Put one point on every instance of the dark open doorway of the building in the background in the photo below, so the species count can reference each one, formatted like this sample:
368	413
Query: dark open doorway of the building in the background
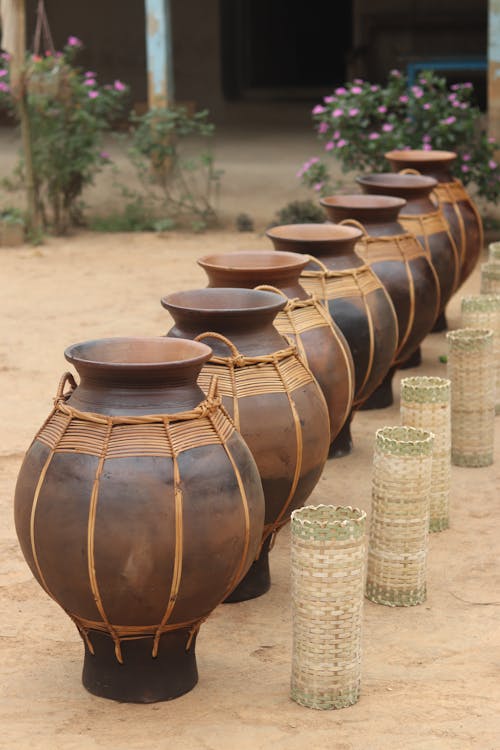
284	48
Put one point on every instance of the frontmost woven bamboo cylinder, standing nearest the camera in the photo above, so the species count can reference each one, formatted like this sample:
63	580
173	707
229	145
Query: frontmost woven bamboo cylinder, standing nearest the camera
328	555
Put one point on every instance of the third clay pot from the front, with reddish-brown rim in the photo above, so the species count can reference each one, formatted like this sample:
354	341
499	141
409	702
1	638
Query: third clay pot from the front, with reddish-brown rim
319	340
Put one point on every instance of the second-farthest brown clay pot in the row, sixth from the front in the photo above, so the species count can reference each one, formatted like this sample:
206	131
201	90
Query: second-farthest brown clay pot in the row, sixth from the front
427	222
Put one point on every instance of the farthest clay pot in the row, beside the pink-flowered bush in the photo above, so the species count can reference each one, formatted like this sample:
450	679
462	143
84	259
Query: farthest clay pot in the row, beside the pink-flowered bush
459	209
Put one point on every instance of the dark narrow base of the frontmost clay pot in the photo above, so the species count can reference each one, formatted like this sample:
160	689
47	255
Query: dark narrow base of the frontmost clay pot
141	678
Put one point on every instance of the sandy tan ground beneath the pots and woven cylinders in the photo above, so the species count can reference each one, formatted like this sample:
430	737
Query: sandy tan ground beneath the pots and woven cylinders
429	674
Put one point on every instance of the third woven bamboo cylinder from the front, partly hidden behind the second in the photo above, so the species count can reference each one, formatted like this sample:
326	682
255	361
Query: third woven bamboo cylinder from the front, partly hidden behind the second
425	404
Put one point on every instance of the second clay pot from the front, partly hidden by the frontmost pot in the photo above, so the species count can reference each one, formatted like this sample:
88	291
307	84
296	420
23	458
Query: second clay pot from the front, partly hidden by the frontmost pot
272	396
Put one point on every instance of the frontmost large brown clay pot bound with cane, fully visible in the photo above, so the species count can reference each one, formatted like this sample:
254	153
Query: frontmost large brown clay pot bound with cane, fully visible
138	508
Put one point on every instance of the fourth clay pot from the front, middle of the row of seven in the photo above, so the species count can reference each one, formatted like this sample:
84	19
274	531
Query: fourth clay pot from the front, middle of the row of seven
355	297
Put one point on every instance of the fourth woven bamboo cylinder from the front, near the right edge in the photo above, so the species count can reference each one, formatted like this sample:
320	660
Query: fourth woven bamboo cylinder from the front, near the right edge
471	371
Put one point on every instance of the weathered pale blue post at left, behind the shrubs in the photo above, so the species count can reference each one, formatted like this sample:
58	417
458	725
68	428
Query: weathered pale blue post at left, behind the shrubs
159	53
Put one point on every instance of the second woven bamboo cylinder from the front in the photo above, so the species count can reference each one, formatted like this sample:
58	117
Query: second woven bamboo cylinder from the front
397	549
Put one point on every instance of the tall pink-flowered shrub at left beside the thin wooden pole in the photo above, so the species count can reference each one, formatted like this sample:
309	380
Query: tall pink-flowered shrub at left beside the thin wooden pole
69	112
